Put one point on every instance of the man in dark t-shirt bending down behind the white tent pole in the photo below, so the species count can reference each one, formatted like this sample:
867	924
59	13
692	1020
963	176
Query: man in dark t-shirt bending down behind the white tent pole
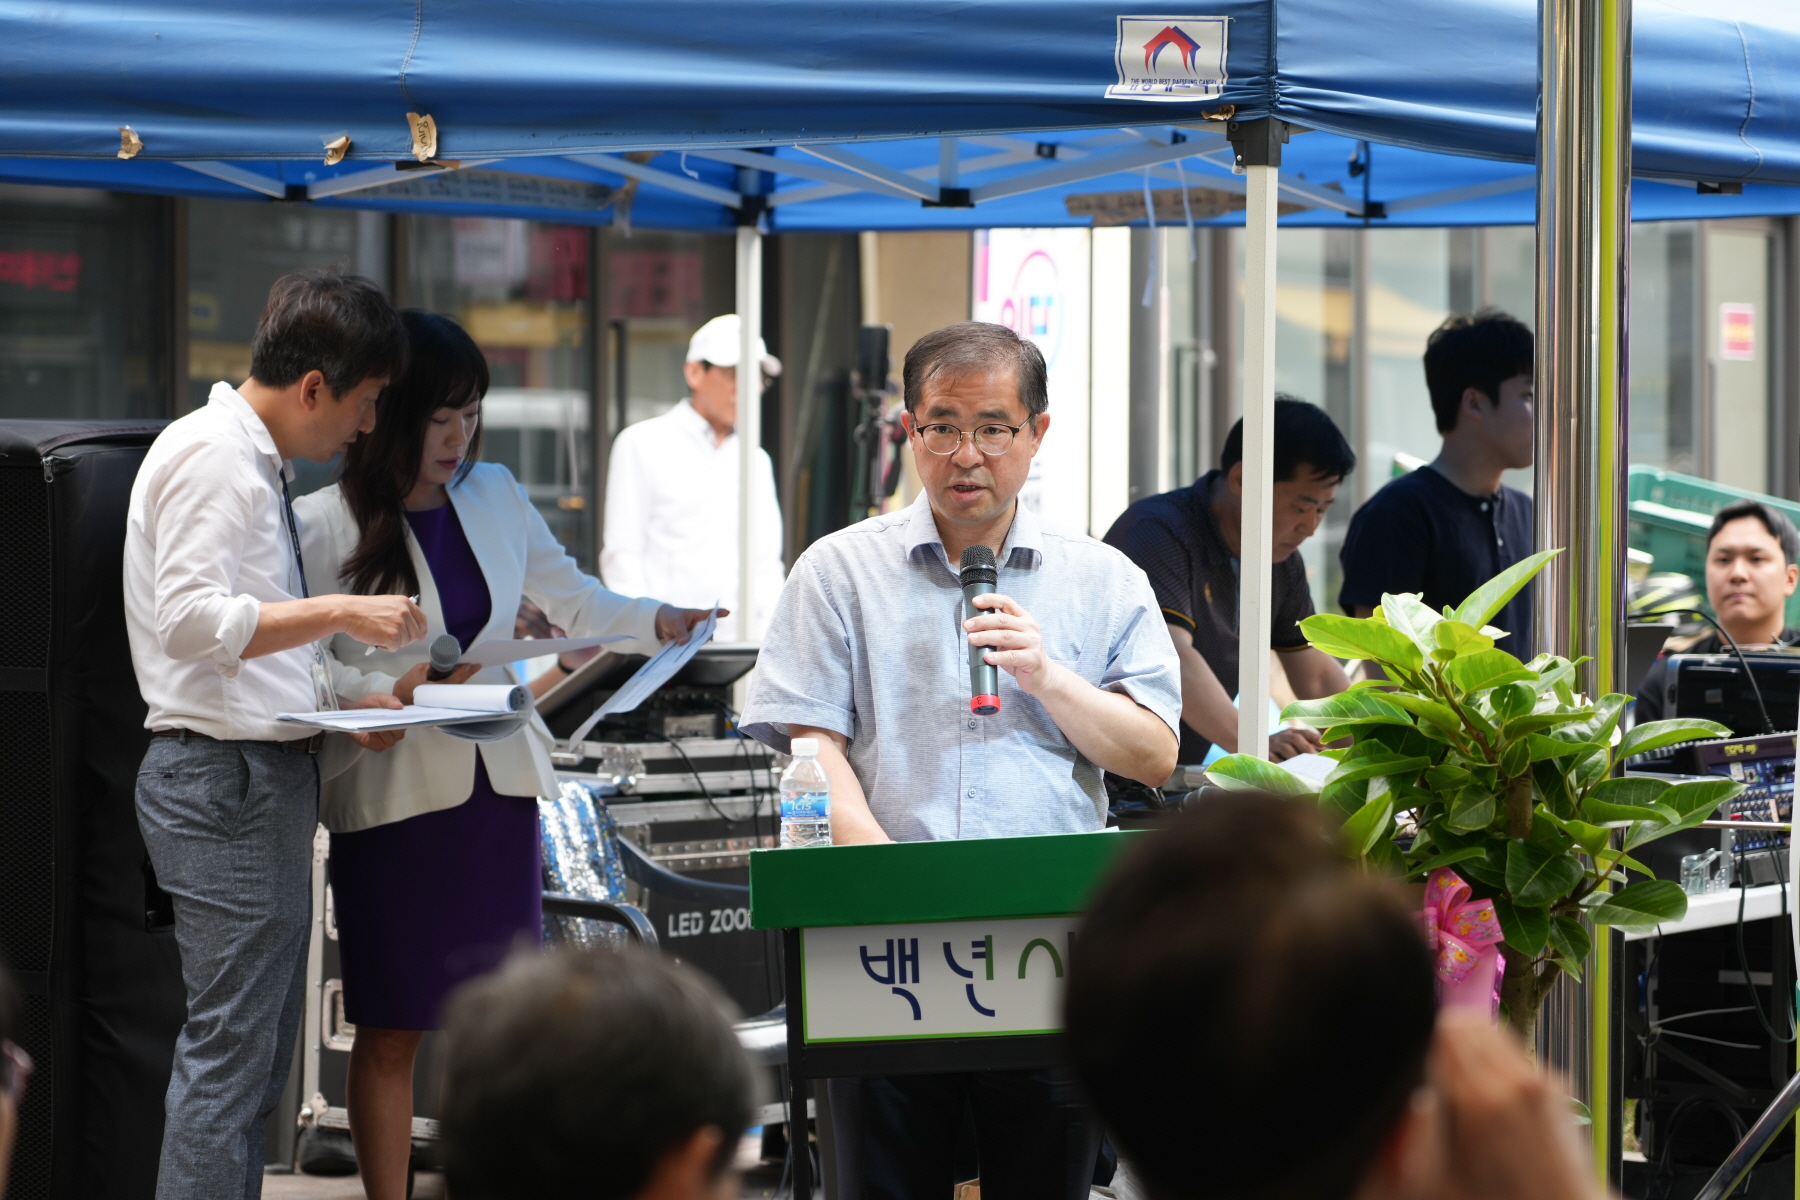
1187	541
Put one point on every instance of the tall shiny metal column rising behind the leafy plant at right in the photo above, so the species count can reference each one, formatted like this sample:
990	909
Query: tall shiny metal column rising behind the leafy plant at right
1583	287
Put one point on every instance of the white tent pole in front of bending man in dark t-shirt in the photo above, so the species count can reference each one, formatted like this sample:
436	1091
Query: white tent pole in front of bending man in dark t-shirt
1259	154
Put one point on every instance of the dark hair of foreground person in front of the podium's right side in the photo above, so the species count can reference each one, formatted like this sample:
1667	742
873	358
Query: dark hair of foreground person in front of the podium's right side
1246	1012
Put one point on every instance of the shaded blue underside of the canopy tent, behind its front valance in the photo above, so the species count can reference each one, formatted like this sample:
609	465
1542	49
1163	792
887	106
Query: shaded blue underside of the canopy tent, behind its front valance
697	190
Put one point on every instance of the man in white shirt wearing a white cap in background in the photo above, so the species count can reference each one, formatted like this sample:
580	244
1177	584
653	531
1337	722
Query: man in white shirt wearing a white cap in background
672	496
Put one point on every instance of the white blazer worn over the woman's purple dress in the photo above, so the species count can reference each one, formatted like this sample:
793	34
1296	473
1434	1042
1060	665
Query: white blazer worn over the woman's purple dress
431	771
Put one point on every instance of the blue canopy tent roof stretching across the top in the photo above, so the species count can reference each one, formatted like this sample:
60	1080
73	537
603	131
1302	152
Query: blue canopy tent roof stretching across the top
231	100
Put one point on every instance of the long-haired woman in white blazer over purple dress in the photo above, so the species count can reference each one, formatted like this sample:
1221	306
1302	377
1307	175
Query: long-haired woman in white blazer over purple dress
435	845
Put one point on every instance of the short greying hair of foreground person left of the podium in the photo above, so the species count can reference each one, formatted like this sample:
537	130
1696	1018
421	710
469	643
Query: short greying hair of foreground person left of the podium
577	1073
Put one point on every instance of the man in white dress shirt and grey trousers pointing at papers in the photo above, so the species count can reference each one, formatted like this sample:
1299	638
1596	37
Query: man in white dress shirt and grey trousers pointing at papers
224	638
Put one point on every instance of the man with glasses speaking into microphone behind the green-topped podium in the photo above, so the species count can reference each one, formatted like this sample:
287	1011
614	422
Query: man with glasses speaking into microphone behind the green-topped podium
870	654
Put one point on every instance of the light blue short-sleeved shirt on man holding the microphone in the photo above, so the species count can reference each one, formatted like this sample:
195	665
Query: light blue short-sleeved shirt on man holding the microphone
868	641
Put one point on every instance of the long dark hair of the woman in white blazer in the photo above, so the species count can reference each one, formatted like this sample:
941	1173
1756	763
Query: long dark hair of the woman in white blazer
445	372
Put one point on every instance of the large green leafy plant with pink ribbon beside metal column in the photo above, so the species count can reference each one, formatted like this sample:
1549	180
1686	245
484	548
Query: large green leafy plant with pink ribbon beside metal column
1468	758
